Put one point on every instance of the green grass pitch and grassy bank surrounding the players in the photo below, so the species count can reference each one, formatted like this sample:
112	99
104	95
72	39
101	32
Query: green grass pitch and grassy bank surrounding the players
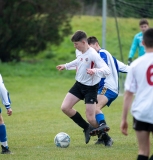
37	91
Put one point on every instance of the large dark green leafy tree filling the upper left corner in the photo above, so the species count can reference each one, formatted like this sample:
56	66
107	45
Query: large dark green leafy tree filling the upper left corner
28	25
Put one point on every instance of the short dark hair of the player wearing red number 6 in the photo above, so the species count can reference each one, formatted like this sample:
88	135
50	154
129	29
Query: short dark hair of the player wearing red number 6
148	38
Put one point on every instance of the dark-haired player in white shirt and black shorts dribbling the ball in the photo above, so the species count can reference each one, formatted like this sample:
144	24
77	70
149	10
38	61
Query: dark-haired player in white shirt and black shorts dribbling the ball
90	68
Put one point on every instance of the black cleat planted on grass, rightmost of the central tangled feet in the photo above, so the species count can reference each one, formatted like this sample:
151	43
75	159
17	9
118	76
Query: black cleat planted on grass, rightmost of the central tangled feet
105	139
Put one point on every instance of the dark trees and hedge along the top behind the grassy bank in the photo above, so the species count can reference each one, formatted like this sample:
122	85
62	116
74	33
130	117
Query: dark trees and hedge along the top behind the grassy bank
29	26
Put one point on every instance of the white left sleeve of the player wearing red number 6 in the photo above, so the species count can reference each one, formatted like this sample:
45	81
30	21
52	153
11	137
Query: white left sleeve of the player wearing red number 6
130	82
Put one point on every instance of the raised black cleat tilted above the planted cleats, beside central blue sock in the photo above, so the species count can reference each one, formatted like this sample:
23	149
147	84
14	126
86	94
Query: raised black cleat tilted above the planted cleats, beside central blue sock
102	128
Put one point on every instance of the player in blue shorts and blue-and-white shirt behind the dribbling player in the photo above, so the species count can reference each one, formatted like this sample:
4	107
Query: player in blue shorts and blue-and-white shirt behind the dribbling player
108	89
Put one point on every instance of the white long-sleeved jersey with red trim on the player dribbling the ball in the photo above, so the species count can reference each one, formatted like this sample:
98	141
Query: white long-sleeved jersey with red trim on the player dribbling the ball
89	60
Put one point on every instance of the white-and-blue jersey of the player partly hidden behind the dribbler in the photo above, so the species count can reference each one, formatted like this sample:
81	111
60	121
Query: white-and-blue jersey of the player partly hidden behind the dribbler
112	81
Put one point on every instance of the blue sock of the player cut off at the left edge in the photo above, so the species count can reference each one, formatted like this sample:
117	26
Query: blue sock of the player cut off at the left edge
3	137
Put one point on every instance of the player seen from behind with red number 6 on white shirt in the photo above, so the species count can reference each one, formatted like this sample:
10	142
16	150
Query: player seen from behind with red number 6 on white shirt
139	81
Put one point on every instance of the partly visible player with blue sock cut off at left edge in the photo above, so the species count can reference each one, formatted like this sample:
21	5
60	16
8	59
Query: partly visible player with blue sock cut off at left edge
4	95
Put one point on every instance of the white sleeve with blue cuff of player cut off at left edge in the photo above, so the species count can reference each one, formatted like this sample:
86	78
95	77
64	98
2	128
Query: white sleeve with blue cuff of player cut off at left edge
4	94
